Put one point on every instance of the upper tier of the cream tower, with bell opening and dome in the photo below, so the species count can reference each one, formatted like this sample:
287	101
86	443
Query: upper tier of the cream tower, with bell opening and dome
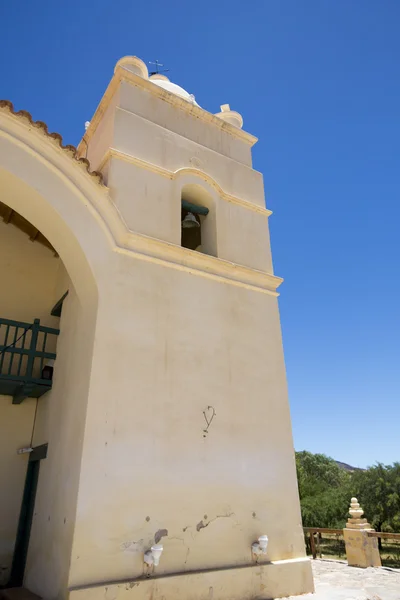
156	147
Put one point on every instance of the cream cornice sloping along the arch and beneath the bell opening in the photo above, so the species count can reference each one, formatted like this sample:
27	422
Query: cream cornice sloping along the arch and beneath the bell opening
121	239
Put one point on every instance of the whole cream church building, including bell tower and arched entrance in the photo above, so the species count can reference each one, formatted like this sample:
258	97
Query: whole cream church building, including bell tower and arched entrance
146	449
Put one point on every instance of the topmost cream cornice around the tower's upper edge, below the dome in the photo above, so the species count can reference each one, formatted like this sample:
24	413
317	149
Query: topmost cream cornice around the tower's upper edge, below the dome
122	74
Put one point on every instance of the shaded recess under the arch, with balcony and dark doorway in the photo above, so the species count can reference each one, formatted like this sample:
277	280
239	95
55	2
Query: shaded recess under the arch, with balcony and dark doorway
31	275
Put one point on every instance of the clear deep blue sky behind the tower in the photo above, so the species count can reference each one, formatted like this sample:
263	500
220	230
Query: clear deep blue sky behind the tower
318	82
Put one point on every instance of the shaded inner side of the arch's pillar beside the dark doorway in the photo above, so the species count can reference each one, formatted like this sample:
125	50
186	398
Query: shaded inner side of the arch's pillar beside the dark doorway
60	422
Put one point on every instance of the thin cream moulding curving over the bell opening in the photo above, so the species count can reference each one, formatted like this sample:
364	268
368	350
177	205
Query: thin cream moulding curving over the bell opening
114	153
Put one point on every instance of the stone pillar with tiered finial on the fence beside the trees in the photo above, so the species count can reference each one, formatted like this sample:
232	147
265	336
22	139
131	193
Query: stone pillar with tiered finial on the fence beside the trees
361	550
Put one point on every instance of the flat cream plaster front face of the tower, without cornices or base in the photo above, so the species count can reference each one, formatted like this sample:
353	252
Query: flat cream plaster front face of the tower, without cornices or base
174	342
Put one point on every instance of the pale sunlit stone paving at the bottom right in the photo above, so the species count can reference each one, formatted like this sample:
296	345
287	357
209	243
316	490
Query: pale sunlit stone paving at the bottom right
335	580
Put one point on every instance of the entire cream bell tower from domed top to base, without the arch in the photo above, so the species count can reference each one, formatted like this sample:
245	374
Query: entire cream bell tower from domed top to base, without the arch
201	458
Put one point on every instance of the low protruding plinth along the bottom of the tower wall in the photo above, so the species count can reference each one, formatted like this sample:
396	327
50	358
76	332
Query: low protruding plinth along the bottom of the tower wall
271	580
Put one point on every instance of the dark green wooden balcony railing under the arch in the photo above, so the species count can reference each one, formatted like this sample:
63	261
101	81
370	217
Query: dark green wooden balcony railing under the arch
25	352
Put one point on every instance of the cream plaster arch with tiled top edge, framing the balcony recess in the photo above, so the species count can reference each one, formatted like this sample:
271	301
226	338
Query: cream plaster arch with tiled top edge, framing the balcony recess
42	184
